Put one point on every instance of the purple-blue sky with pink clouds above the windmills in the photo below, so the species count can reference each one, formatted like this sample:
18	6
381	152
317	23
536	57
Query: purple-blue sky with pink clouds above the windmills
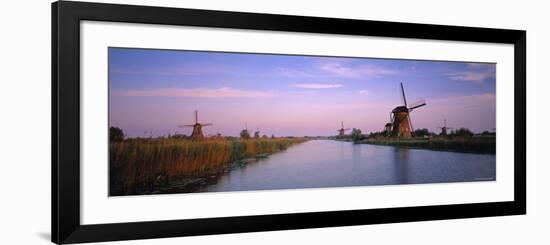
151	92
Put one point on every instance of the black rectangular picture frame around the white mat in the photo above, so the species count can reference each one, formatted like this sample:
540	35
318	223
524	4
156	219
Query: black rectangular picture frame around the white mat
66	17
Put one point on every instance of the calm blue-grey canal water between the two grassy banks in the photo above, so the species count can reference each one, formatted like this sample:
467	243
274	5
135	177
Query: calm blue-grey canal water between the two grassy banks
327	163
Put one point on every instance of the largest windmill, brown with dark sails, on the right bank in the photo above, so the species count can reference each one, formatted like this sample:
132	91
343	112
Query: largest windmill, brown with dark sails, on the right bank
401	119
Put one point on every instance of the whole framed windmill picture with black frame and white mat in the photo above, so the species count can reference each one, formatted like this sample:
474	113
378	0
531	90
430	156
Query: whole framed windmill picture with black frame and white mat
174	122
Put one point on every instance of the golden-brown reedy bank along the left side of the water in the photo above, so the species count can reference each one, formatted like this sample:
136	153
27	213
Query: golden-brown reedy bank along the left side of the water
137	165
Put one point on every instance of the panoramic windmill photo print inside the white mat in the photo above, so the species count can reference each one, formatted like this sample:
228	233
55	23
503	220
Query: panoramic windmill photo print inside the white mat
204	121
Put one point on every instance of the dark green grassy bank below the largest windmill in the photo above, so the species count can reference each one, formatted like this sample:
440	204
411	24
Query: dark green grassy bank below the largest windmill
485	145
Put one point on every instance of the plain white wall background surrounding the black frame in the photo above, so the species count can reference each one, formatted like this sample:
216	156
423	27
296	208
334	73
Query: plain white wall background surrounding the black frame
25	121
